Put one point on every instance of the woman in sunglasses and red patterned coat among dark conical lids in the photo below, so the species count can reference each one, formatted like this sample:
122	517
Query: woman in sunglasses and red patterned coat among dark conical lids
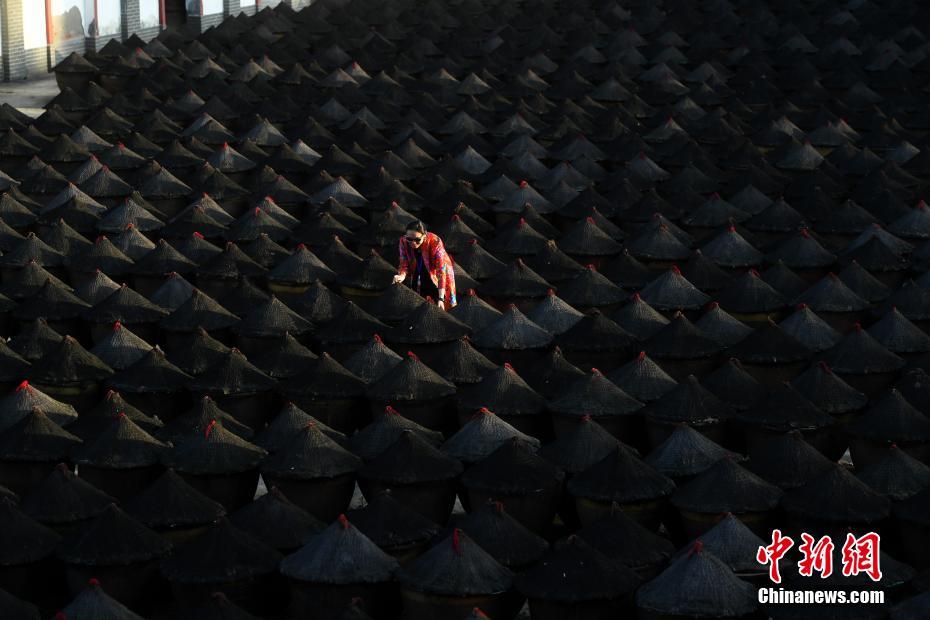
423	257
